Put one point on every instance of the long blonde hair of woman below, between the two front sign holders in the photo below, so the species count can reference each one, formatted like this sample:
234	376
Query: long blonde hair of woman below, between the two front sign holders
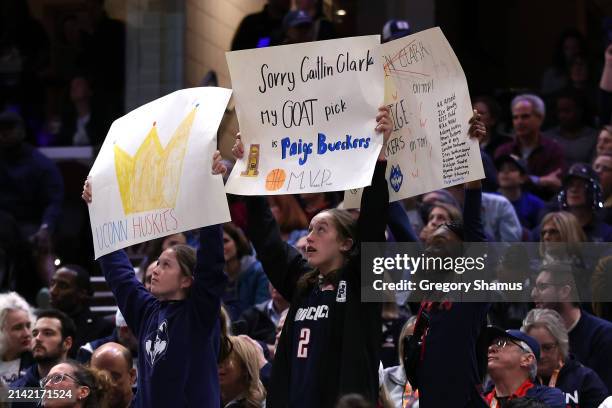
246	354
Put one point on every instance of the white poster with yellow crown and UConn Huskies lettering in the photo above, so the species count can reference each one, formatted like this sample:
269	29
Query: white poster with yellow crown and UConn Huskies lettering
152	177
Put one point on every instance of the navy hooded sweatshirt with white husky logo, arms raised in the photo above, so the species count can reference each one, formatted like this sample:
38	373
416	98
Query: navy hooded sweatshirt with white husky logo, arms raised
178	340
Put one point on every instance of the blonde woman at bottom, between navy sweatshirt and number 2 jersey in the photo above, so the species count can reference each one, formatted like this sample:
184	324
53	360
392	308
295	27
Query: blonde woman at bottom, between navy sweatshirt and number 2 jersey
239	376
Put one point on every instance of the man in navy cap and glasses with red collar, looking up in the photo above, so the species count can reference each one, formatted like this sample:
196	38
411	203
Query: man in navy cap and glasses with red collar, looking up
512	363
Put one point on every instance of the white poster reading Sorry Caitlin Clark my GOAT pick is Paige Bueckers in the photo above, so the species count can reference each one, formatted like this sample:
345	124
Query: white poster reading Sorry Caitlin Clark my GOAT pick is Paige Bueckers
307	116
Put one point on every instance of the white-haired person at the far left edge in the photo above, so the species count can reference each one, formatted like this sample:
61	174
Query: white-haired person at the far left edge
15	337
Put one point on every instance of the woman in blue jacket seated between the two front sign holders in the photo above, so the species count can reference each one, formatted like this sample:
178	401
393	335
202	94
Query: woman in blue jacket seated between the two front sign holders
247	282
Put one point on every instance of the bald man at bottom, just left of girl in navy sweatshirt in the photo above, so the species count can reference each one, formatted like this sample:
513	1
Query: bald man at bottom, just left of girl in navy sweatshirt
117	361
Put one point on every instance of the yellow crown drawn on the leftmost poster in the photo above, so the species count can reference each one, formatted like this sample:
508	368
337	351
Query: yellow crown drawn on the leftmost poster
150	179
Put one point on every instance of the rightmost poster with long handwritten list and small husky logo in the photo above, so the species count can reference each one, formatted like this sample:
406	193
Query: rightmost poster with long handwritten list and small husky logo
427	94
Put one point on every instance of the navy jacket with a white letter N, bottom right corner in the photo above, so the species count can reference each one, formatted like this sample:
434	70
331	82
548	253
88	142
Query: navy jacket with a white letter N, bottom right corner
582	386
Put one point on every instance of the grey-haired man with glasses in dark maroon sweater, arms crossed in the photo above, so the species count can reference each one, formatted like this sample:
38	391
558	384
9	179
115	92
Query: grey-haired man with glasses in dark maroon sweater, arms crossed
544	156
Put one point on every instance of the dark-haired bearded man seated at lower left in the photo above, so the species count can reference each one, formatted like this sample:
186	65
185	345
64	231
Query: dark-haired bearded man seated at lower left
51	339
